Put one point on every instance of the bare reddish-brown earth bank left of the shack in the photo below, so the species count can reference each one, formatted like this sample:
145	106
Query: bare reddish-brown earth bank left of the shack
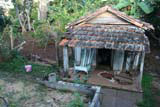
33	47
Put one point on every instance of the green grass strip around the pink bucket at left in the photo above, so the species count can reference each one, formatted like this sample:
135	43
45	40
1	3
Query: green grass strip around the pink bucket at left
17	63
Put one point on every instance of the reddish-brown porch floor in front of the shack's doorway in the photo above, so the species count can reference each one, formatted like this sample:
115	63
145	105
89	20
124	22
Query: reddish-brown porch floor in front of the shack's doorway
95	79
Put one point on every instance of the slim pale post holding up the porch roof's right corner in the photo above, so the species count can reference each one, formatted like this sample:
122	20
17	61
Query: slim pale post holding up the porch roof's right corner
141	68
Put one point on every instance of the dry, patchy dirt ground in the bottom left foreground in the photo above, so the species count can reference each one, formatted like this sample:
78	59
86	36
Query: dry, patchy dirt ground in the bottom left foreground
22	91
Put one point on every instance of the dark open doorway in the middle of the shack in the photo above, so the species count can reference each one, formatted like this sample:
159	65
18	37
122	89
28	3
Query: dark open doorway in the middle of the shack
104	57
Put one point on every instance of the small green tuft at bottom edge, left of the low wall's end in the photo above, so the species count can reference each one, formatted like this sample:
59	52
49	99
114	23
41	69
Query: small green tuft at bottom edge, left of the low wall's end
76	102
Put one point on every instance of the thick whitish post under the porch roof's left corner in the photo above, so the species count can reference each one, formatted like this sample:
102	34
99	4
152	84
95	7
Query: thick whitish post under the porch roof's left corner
65	59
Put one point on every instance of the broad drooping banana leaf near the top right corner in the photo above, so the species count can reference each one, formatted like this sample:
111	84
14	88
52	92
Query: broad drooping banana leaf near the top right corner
146	7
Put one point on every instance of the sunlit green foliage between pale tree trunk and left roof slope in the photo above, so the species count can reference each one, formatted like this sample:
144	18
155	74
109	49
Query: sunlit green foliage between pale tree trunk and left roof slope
62	12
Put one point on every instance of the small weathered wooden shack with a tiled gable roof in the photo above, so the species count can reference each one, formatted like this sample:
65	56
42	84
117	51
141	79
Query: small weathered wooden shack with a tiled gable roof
107	35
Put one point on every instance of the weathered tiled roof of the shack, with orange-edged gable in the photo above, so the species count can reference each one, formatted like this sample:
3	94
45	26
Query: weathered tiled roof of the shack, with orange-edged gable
130	37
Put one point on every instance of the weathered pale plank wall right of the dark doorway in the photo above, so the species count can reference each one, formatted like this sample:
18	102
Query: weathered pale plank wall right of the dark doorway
126	61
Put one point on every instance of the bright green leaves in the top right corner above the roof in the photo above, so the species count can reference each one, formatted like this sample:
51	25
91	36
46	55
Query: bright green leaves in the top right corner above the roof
138	8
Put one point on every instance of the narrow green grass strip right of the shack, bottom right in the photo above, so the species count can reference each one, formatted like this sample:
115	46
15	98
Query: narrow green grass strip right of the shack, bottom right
148	98
